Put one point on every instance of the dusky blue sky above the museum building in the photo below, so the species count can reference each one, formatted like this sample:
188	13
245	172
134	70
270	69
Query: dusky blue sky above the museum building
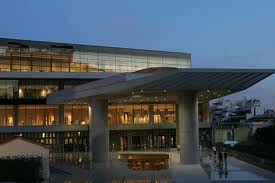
219	34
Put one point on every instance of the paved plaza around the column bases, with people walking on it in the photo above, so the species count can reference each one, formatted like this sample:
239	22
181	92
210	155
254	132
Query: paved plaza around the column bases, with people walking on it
74	168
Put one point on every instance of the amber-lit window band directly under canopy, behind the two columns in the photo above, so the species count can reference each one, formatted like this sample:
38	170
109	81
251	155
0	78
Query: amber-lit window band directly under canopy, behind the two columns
78	114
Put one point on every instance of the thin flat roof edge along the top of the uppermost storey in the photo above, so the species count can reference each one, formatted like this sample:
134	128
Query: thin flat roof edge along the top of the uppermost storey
93	48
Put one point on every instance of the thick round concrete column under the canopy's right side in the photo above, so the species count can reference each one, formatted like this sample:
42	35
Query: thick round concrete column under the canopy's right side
189	128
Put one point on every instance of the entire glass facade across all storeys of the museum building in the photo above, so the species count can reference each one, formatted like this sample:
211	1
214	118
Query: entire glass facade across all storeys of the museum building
23	101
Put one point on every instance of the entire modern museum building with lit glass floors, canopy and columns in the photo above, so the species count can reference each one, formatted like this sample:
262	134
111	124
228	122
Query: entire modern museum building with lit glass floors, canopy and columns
72	96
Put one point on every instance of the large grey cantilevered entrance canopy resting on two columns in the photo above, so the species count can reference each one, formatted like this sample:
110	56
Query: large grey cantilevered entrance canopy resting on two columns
210	83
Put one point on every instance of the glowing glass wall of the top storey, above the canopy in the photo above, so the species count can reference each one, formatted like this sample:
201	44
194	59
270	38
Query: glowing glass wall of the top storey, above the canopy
68	60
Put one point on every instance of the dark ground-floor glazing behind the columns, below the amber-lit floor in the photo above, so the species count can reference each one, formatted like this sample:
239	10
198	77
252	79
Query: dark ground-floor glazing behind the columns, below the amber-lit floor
120	140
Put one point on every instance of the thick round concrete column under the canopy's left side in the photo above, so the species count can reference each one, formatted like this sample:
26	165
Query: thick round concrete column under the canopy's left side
99	131
